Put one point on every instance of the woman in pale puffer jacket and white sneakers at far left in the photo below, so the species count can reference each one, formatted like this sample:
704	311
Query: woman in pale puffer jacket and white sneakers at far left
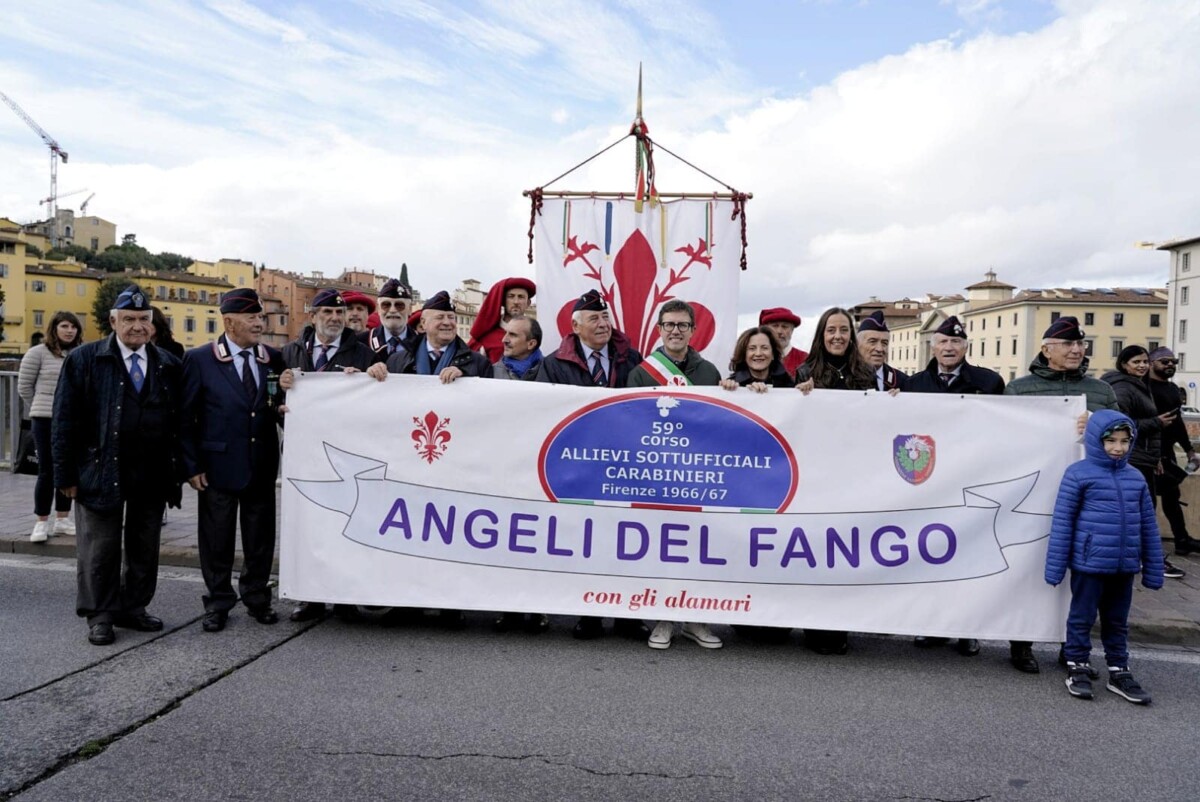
35	384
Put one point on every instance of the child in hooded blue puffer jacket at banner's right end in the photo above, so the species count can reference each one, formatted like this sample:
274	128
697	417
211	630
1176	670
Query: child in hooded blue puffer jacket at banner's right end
1105	530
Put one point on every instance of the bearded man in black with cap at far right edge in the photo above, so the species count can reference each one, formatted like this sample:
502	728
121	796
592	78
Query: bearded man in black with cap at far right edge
1163	364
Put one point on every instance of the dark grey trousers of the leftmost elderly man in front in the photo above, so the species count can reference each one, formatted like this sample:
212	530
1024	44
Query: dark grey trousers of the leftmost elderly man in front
107	589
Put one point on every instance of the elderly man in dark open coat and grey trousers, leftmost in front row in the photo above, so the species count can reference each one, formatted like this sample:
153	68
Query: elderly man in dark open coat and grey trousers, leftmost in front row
116	446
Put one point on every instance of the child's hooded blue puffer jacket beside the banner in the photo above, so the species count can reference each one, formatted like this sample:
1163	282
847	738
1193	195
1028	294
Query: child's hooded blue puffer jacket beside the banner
1105	517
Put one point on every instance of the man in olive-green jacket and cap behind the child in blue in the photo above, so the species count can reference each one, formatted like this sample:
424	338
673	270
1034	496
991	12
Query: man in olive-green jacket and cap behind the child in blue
1061	369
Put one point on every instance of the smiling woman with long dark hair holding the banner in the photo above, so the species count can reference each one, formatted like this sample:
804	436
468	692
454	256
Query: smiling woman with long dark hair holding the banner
833	364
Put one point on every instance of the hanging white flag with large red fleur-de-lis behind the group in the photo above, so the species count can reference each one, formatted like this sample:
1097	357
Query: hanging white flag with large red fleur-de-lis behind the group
686	249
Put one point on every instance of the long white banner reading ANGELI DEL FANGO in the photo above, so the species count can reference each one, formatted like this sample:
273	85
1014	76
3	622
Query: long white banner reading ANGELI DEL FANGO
919	514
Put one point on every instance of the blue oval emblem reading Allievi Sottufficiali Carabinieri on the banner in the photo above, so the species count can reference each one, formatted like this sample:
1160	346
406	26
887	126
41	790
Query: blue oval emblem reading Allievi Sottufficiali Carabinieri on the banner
669	451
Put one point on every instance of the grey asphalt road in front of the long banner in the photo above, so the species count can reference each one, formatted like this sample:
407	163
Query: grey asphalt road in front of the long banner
359	713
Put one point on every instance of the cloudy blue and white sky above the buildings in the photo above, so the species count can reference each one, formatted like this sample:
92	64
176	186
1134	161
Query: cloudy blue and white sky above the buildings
893	148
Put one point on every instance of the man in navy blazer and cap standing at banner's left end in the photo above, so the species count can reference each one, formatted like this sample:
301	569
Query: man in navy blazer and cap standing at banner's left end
232	457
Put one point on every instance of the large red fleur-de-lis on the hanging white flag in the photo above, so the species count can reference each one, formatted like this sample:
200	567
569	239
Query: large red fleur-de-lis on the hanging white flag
635	297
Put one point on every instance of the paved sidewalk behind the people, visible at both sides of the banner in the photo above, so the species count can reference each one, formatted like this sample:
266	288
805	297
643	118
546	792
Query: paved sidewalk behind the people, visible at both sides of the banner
1168	618
